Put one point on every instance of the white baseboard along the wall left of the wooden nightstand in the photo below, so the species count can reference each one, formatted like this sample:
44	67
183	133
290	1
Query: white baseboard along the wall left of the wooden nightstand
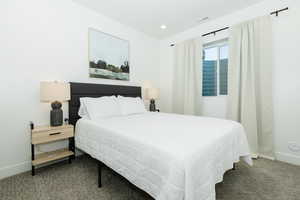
14	169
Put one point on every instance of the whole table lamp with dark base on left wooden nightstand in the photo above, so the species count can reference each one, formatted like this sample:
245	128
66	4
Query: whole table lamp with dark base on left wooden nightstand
55	92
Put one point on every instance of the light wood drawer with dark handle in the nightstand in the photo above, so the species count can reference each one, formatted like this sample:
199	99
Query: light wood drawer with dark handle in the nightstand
51	135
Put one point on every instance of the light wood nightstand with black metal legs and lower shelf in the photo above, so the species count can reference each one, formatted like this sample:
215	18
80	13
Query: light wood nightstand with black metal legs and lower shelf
47	134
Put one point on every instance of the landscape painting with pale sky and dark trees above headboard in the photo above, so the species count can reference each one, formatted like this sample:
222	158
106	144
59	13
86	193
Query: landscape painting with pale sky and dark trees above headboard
108	56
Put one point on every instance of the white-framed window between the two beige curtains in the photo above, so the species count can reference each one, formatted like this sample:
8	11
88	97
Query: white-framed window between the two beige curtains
215	68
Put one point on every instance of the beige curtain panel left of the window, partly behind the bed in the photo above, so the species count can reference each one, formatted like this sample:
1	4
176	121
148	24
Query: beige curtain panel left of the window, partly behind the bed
187	79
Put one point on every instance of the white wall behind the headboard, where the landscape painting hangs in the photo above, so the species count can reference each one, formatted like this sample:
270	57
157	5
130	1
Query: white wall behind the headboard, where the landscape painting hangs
48	40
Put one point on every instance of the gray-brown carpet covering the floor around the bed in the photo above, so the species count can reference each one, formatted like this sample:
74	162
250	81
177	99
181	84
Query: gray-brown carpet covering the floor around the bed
266	180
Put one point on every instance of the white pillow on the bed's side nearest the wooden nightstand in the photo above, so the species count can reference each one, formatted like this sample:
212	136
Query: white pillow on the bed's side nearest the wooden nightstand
101	107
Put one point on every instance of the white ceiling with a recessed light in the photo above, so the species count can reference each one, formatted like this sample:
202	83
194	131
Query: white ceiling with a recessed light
178	15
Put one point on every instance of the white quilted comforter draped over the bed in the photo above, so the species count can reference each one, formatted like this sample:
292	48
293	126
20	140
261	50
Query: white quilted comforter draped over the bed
171	157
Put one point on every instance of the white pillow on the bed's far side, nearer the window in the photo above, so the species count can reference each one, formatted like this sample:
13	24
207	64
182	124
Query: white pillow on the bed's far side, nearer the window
131	105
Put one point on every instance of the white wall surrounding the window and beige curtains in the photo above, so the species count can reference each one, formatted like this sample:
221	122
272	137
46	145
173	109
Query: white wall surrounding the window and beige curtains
286	70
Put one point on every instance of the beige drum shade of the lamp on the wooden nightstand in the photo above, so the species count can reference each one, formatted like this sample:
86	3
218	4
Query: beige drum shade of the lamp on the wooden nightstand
54	91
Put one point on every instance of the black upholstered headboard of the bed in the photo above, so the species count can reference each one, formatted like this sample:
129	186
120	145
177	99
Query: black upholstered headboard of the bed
96	90
